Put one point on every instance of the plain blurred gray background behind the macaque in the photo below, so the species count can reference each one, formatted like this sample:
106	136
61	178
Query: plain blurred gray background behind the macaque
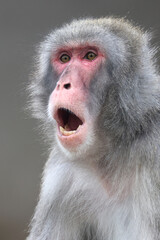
22	153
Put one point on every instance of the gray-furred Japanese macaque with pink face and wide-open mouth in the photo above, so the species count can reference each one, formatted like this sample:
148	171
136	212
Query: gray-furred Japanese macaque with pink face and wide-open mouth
96	90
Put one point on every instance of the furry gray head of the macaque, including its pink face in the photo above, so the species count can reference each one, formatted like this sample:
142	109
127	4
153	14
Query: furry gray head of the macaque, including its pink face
86	81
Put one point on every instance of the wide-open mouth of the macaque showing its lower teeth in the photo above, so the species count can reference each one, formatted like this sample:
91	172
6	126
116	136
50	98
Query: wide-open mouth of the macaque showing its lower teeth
69	123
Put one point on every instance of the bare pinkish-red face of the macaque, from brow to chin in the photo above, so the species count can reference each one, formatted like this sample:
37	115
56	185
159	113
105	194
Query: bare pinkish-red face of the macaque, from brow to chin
75	68
